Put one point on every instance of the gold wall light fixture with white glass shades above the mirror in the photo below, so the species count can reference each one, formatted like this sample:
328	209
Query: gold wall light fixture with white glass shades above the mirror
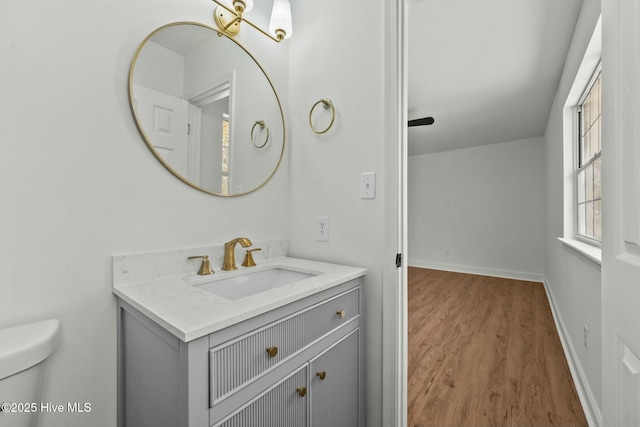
230	14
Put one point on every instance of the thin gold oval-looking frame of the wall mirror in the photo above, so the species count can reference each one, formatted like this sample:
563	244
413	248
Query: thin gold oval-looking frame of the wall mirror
146	138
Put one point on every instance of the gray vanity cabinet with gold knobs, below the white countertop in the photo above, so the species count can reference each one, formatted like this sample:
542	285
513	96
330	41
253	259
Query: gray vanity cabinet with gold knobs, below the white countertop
295	366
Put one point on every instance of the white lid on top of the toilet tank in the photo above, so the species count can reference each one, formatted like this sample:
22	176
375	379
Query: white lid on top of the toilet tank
24	346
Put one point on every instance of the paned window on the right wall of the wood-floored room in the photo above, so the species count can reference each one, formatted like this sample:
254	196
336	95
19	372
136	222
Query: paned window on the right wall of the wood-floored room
589	191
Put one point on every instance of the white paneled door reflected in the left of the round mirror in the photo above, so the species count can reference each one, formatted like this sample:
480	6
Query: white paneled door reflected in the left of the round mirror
165	121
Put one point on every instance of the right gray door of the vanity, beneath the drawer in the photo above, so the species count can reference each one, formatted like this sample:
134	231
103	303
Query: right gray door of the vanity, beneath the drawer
334	384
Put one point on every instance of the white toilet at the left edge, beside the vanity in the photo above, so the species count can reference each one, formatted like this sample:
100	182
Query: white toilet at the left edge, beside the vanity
24	350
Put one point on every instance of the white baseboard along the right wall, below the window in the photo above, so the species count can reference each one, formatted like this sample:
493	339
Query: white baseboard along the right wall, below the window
589	404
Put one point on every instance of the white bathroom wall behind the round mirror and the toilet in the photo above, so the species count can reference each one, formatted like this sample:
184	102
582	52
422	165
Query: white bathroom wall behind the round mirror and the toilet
78	184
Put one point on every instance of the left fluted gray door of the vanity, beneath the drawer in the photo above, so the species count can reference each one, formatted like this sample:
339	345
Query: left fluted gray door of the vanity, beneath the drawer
284	405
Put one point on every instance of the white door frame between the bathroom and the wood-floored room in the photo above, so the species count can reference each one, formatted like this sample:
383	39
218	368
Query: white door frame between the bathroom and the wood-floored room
394	284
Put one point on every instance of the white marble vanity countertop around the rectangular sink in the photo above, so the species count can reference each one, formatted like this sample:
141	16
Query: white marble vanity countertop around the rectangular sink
189	312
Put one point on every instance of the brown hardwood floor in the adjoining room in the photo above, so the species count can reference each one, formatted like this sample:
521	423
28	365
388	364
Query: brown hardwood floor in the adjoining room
484	351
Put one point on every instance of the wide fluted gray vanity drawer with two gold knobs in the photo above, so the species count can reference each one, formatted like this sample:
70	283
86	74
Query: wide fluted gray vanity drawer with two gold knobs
235	363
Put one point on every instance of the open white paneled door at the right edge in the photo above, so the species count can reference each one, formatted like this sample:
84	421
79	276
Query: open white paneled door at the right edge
621	213
